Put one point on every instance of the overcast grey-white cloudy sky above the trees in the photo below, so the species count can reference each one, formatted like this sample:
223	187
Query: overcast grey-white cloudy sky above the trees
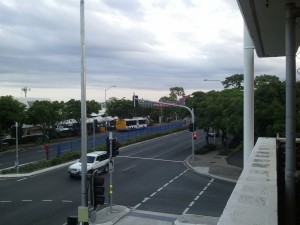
141	46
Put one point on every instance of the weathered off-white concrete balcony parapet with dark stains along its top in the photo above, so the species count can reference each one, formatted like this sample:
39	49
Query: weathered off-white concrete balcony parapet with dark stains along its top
254	199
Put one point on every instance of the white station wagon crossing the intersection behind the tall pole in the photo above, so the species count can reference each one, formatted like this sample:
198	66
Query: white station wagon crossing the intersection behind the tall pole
95	161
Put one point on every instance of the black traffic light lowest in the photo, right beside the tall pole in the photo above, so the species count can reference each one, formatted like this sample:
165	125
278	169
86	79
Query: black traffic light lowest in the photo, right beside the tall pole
98	191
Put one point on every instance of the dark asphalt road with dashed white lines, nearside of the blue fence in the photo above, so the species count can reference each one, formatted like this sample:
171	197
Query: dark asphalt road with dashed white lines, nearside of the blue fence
148	176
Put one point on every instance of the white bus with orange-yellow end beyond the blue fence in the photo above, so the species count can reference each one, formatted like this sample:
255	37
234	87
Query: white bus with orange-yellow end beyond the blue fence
131	124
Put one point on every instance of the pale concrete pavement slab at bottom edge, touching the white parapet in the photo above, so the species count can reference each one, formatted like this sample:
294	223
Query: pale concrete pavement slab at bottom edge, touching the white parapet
190	219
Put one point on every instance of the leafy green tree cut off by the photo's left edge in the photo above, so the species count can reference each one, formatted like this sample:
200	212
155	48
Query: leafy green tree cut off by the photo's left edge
11	111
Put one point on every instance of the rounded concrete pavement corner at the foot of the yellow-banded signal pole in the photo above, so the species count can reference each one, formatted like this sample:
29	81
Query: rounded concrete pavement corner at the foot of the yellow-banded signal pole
109	215
